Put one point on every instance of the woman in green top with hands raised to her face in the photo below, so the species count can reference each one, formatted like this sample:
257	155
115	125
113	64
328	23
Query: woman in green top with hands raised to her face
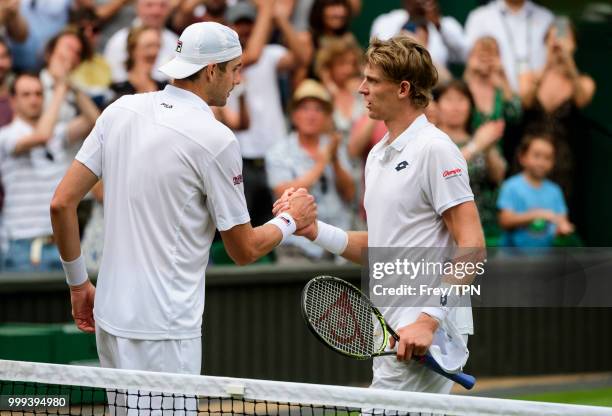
488	84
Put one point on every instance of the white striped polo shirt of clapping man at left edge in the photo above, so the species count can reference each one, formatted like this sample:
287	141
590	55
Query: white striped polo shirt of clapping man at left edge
29	180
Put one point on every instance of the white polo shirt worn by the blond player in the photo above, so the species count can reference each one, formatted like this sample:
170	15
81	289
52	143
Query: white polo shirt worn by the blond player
408	185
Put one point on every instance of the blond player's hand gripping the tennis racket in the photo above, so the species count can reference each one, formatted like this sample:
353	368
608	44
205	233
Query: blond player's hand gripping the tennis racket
416	338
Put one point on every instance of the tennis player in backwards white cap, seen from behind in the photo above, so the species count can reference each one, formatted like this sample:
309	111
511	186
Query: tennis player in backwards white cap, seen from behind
172	174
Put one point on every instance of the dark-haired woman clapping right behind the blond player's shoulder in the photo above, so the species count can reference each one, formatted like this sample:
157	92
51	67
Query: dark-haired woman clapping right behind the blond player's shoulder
486	165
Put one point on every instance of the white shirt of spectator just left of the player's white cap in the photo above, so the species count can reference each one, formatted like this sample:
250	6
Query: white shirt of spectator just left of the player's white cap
115	54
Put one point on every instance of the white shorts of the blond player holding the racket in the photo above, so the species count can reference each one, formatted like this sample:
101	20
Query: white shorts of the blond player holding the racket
390	374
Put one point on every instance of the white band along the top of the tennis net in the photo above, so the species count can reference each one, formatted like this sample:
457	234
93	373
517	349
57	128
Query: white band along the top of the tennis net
283	392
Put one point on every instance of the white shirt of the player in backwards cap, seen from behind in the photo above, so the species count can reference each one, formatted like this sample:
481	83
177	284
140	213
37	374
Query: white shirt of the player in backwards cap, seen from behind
172	174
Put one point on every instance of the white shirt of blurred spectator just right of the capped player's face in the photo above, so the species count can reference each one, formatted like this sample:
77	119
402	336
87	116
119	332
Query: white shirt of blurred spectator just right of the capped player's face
266	117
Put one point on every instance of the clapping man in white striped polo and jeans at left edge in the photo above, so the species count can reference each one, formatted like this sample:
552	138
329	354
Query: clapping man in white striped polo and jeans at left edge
33	161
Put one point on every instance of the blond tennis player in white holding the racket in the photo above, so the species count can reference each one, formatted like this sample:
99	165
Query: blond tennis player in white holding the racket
417	194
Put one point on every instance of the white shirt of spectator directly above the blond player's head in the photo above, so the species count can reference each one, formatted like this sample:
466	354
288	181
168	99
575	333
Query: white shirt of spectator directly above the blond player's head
445	45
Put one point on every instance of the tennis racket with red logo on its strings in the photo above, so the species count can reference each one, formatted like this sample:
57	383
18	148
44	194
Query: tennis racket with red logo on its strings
345	320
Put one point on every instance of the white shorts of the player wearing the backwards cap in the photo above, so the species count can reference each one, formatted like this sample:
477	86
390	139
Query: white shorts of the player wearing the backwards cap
171	356
